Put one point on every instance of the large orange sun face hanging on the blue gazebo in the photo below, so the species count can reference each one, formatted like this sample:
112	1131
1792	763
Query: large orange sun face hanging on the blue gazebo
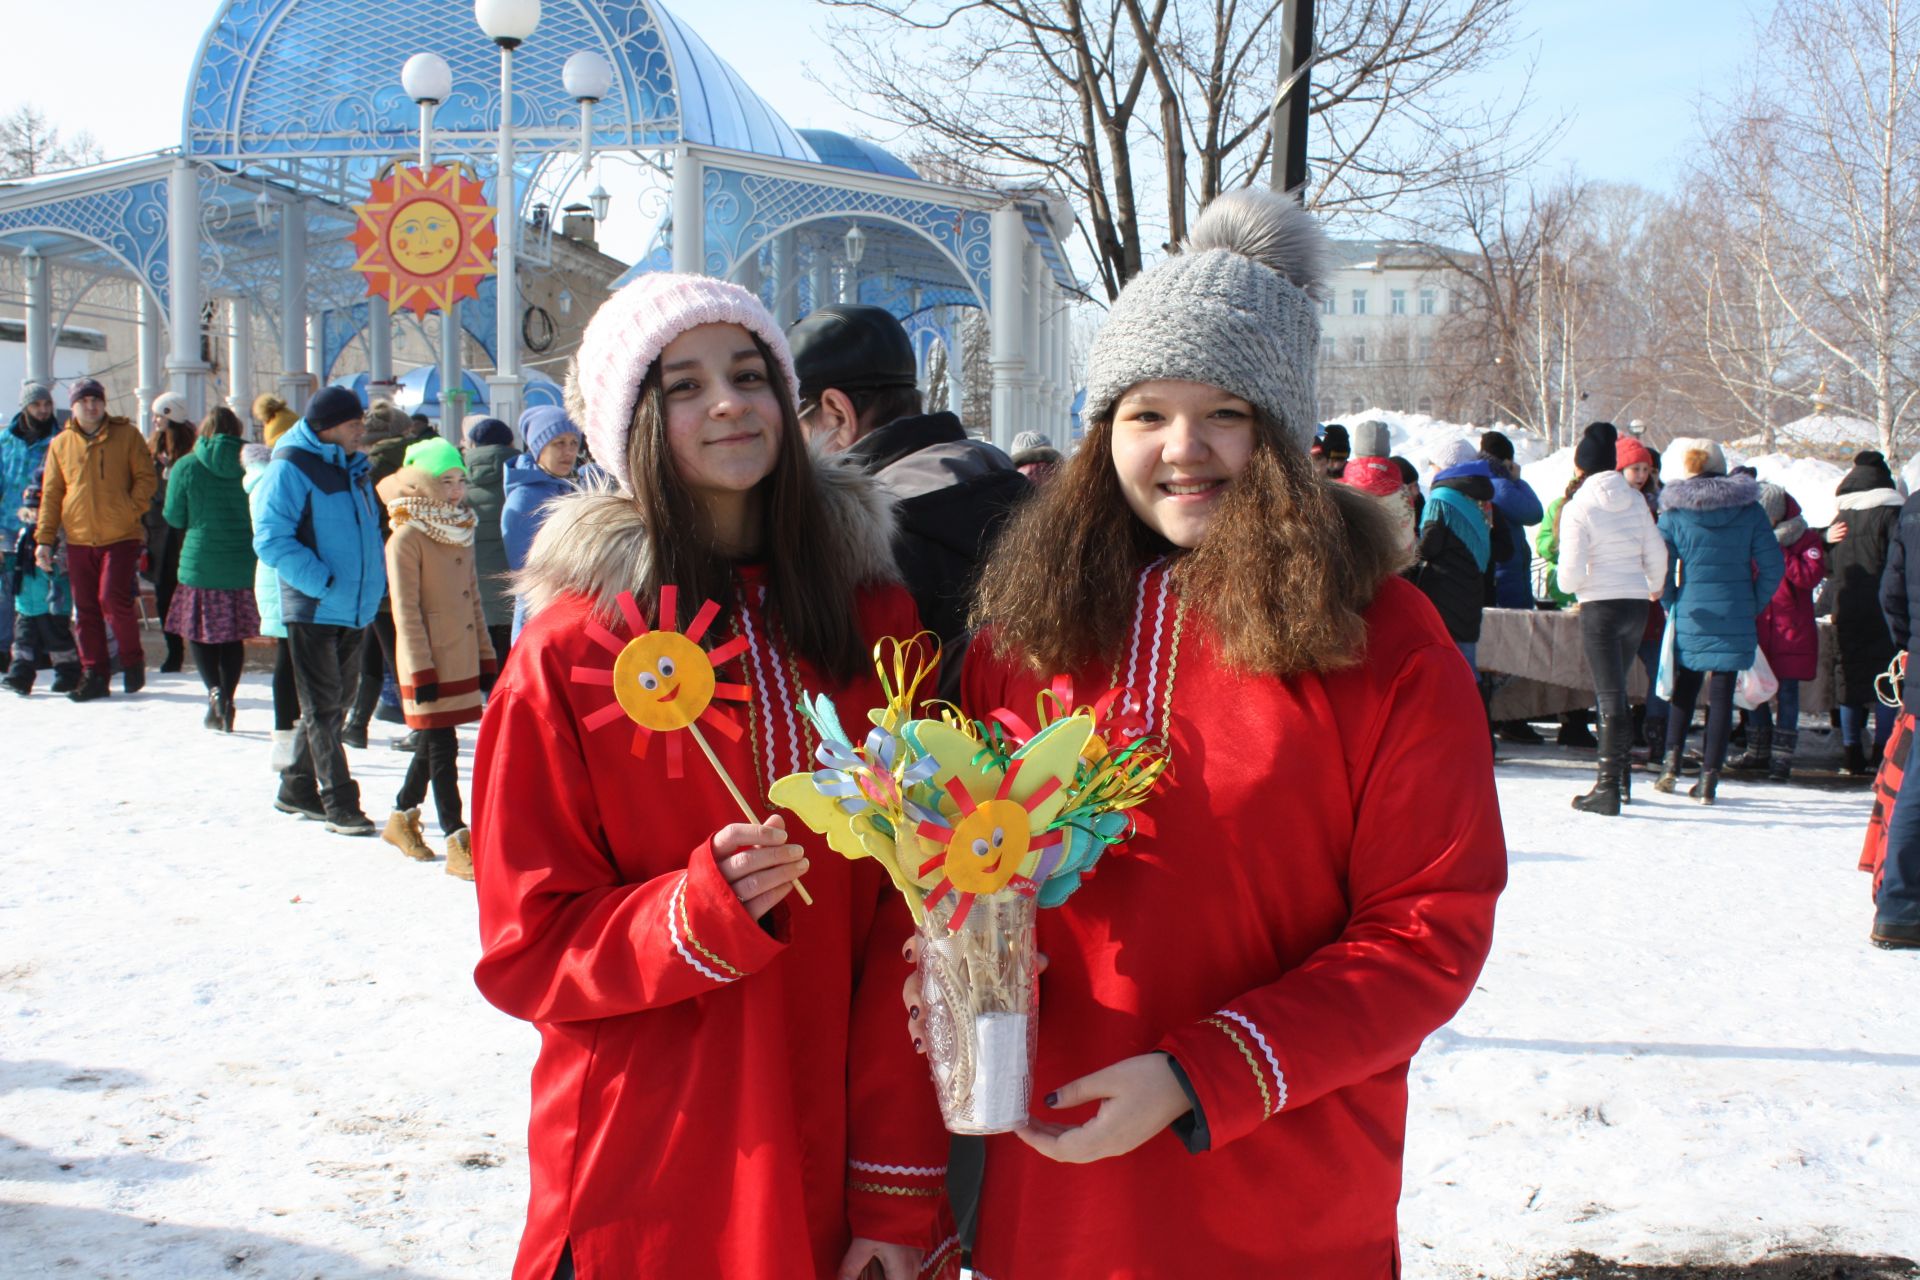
425	239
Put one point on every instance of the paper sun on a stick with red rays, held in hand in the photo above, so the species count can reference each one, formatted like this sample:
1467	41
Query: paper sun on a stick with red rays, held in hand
663	682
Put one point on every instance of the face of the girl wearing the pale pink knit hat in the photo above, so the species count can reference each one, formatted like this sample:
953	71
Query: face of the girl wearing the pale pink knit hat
723	414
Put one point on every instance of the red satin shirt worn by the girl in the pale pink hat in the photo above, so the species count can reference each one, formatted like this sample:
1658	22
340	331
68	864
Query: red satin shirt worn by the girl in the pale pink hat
713	1097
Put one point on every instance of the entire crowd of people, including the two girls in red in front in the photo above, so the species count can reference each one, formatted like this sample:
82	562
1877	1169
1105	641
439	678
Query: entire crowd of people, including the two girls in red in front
725	1081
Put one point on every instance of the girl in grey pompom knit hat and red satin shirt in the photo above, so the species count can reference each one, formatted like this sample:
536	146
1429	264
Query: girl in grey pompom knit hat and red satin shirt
1232	1003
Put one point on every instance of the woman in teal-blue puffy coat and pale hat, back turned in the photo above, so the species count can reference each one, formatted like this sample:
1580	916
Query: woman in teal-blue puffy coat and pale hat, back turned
1723	569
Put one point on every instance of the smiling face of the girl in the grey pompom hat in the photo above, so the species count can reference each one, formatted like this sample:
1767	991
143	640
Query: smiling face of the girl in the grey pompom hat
1178	448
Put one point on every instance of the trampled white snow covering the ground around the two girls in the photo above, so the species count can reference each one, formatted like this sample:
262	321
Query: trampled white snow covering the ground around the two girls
241	1047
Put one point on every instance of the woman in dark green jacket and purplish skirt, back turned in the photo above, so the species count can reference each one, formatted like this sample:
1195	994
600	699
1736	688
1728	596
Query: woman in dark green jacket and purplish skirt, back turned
214	605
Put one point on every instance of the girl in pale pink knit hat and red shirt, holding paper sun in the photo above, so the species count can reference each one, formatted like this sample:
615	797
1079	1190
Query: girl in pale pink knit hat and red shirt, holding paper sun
721	1085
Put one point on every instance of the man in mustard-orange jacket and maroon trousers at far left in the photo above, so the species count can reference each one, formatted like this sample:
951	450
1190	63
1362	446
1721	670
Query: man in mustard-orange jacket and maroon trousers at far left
95	490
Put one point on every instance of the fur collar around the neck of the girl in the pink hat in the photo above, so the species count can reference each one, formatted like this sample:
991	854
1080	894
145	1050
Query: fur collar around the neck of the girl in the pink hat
594	542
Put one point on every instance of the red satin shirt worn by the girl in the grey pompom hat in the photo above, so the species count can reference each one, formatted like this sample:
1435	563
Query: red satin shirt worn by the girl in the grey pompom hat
1316	897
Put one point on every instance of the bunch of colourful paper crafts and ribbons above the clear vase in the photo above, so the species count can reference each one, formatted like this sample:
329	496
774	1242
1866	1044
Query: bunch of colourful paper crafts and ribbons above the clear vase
974	811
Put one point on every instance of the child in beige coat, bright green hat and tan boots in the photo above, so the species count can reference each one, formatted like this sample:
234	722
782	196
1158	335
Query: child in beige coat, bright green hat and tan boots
441	640
